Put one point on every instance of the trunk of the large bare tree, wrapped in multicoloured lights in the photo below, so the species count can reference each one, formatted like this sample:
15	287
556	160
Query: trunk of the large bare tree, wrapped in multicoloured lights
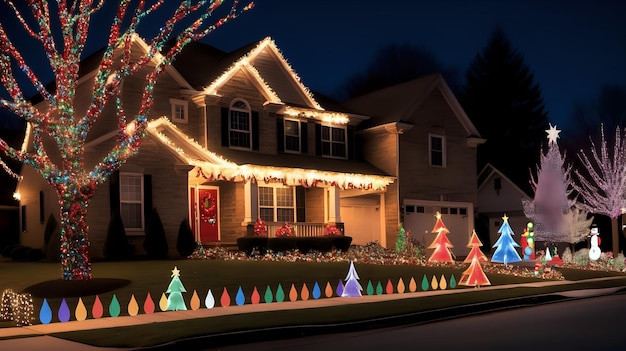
74	235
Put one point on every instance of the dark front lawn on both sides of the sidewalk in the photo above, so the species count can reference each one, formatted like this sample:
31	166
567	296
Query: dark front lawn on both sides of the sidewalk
138	278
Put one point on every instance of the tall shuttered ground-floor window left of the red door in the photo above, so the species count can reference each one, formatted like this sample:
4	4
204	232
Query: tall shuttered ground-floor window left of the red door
131	200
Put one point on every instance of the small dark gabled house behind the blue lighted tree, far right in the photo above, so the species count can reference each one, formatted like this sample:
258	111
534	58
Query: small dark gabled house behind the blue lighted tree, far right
498	195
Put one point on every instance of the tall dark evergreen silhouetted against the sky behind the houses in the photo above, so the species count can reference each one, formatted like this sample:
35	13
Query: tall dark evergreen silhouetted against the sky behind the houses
506	106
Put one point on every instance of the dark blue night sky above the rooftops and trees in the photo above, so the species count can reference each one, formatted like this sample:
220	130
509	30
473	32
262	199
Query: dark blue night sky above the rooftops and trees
572	47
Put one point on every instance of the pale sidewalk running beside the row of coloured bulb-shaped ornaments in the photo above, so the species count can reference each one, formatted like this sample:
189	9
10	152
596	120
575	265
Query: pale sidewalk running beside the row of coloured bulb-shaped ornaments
35	337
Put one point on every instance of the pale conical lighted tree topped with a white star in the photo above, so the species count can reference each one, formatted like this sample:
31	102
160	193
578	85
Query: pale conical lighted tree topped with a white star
552	186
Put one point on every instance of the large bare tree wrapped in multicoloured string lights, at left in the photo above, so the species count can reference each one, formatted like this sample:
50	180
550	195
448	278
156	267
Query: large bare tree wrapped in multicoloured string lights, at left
61	28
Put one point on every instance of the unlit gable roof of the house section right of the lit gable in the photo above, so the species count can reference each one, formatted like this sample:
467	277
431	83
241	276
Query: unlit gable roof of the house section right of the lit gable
399	102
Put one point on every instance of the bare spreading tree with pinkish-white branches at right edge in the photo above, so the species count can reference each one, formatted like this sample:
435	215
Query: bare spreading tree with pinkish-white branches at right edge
601	183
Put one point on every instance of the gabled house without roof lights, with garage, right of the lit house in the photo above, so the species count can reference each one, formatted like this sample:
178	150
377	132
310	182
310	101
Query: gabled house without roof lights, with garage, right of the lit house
419	133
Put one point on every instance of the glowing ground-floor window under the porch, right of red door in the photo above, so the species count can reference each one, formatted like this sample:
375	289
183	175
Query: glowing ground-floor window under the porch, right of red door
277	204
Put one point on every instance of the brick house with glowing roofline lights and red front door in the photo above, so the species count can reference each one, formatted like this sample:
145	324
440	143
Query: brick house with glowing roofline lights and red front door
232	137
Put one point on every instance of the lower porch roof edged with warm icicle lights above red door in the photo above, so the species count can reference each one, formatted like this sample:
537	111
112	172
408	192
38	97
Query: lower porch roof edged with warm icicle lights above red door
287	169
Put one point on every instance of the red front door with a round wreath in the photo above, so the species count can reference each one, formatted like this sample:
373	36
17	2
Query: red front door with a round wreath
205	207
